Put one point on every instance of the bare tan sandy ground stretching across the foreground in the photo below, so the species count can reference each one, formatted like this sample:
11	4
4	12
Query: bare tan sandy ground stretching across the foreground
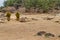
14	30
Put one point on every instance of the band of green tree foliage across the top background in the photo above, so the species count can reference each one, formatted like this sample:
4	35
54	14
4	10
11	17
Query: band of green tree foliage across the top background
41	4
